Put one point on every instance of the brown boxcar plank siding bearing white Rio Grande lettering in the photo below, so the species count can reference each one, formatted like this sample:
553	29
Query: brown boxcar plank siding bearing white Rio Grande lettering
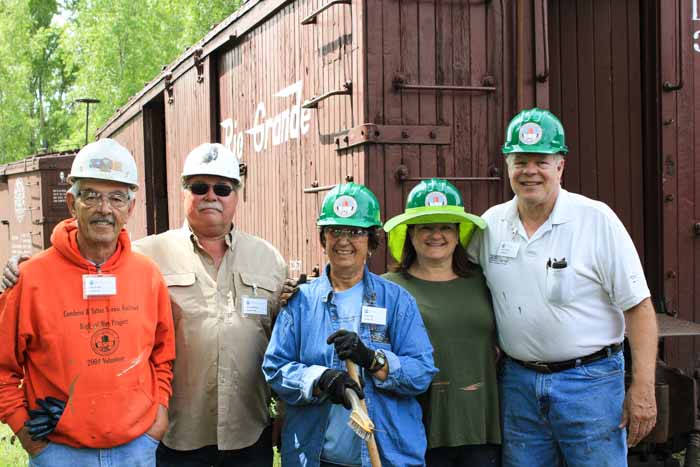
277	55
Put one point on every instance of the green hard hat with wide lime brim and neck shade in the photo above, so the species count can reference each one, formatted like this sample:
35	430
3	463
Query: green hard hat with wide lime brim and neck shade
433	201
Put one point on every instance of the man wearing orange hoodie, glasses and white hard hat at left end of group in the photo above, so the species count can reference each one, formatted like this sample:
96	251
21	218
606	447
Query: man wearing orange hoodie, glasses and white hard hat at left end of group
87	333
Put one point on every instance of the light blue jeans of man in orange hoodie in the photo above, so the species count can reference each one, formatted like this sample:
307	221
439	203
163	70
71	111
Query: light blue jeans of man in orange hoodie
140	452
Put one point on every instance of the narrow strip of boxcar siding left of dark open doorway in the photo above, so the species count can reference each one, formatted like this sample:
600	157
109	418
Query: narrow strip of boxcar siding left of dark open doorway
131	137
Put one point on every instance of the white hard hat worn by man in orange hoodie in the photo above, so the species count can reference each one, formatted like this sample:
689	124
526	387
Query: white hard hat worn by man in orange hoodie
105	159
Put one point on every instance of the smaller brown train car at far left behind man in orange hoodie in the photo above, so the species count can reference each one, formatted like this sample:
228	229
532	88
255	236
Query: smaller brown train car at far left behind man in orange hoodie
32	202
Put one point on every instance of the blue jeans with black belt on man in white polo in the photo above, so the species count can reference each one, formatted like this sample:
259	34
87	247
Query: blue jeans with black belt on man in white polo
567	418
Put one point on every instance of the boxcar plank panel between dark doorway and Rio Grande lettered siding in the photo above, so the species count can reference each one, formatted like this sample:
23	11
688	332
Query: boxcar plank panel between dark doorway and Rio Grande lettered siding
189	122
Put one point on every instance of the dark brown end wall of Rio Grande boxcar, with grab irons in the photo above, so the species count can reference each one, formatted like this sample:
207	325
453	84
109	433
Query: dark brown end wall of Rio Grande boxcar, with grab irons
445	43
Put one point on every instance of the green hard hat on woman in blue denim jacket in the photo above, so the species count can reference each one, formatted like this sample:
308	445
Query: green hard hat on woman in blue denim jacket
350	204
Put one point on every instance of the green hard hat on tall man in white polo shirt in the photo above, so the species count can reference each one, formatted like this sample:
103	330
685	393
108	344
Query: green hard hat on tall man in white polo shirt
535	131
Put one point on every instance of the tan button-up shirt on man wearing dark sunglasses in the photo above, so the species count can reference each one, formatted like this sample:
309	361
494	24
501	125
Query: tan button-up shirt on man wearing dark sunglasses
219	392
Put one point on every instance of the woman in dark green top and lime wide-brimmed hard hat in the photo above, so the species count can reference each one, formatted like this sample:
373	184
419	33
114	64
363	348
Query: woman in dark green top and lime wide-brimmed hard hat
460	410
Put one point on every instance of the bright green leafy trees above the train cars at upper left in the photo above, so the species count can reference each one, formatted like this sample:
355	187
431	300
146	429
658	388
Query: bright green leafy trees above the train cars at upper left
57	51
